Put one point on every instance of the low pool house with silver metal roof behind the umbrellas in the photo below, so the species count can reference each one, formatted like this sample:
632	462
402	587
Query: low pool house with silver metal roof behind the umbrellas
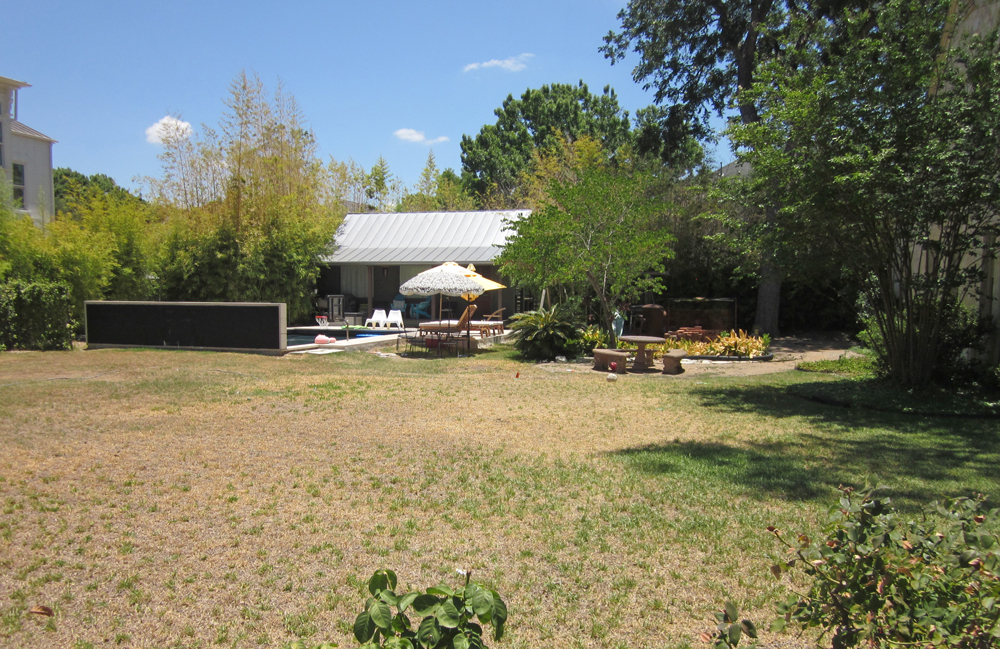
377	252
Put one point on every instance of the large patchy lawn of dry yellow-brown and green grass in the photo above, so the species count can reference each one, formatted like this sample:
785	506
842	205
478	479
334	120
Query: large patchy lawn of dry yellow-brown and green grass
195	499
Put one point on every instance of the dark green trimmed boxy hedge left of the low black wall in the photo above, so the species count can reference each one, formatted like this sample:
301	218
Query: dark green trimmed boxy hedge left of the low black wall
35	315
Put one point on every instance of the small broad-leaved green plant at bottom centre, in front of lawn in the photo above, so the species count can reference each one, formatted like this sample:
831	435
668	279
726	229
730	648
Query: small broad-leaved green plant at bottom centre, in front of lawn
447	614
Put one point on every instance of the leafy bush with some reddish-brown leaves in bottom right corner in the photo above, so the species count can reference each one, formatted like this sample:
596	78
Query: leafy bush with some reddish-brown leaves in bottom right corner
883	581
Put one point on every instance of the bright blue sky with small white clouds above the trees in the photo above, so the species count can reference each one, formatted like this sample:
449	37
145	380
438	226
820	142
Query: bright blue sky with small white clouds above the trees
102	73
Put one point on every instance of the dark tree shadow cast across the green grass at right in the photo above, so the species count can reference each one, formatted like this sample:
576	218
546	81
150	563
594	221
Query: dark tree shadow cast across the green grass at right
921	458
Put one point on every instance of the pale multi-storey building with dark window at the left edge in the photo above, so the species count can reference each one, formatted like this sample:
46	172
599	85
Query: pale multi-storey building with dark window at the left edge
25	156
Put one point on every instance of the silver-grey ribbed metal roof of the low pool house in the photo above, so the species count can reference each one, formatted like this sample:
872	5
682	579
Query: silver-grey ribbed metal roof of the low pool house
422	237
